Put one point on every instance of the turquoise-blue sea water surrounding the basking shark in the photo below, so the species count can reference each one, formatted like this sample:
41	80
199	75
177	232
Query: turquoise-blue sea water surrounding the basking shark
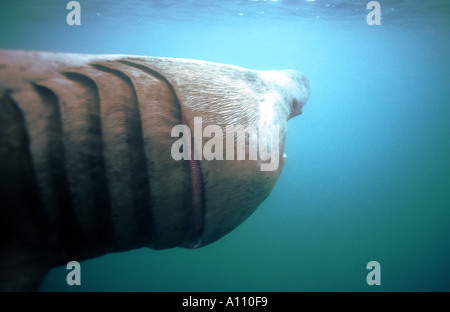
368	169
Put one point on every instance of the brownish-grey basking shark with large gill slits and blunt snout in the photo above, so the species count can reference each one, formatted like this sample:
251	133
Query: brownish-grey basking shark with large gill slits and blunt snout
108	153
